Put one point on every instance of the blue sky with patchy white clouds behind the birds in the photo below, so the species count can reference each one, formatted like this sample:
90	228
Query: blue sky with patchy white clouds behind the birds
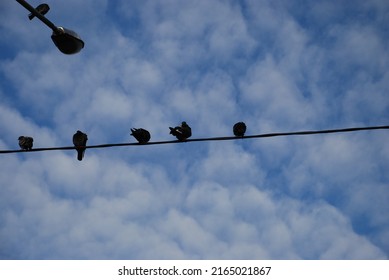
276	65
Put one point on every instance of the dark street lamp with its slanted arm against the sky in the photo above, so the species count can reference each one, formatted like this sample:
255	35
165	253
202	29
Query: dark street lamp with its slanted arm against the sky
67	41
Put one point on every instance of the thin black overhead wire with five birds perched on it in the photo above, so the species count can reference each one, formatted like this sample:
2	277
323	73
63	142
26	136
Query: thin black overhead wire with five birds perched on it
267	135
